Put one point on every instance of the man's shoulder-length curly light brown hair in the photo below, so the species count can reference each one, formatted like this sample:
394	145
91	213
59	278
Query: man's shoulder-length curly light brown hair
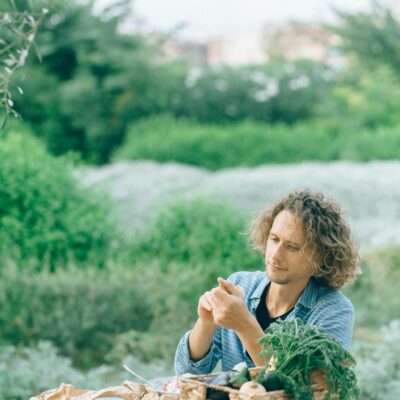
327	233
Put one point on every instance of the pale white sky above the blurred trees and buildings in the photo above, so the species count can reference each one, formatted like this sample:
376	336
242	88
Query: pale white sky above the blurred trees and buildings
207	19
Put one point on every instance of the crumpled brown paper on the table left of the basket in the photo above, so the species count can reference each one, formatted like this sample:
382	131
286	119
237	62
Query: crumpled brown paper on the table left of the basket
128	391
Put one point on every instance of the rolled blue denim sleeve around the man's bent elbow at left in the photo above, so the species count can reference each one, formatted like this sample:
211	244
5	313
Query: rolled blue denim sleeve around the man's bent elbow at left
184	364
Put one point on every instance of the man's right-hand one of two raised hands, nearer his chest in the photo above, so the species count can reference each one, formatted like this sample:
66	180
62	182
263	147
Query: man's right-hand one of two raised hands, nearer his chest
228	306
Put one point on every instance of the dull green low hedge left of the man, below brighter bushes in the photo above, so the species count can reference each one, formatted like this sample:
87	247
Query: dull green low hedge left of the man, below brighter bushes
95	317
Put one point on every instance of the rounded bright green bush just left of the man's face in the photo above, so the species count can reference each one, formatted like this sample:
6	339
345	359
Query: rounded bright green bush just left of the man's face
198	233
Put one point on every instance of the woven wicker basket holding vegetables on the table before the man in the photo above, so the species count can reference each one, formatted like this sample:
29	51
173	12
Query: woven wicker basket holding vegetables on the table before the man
195	388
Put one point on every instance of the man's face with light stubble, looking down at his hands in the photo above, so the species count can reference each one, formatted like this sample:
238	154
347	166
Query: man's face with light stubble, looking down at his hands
287	258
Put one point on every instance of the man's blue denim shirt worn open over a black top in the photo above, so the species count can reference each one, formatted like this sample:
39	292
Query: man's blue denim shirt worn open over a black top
317	305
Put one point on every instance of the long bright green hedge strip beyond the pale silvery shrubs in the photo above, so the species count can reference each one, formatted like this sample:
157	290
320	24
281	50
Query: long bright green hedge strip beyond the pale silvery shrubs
249	143
